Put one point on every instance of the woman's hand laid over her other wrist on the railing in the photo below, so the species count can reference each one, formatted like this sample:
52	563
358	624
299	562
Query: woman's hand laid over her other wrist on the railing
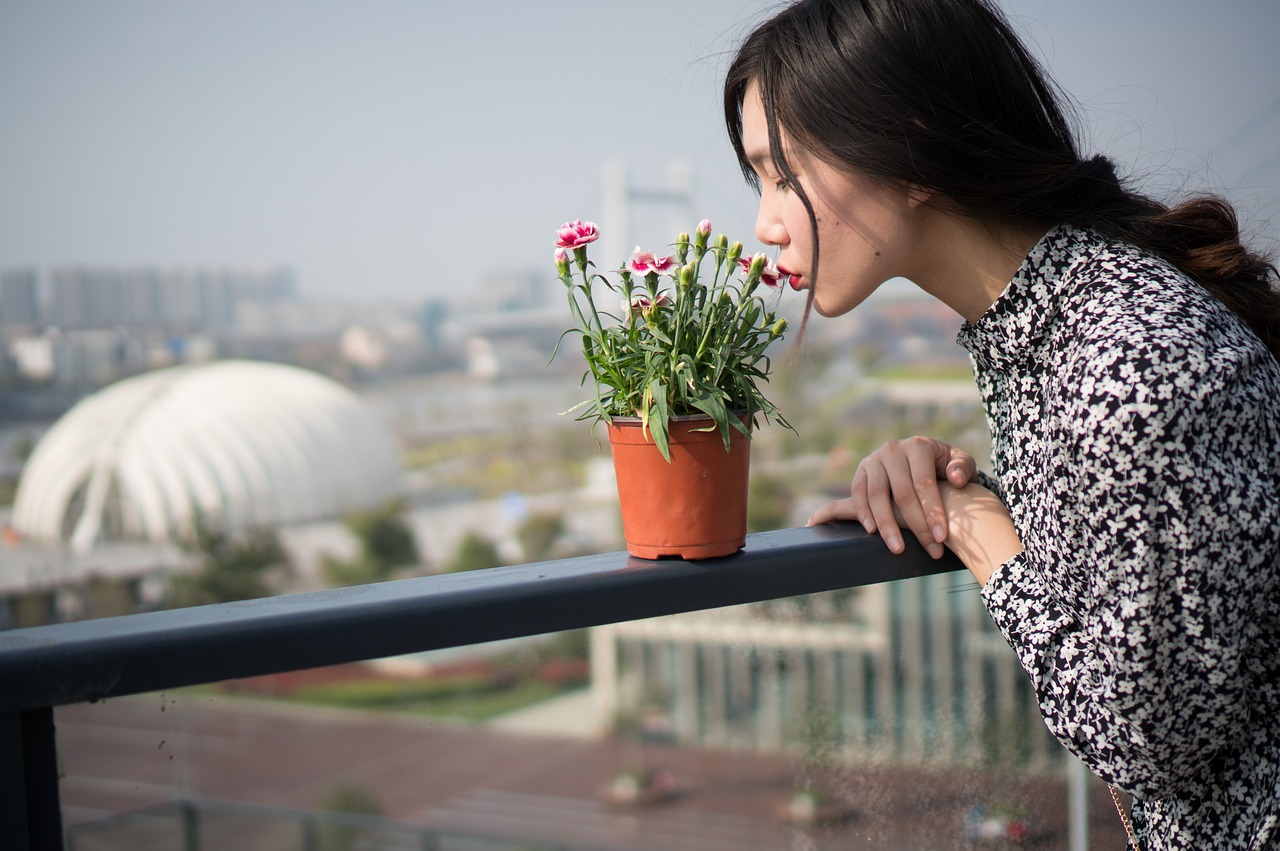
898	486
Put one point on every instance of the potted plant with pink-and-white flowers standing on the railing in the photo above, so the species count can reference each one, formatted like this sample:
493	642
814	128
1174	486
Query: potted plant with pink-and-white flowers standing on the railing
676	374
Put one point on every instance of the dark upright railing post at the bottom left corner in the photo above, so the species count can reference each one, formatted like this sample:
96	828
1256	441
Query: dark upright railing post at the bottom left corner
30	809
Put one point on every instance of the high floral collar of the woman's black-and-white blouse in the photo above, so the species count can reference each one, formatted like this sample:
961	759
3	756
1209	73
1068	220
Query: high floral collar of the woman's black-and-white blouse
1026	312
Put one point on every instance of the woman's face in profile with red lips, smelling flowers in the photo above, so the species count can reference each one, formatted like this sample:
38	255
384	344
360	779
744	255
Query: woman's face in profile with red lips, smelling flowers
866	228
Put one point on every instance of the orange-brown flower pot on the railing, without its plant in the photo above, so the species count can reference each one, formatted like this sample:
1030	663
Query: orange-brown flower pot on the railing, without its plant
694	507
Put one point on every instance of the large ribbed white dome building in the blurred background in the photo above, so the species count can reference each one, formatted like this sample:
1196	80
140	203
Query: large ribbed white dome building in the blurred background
240	443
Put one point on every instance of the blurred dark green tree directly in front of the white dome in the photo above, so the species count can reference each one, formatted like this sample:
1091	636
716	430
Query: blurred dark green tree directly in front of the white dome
234	568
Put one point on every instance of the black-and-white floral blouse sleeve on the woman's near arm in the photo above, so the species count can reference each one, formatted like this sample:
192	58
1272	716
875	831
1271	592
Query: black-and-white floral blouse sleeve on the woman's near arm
1168	493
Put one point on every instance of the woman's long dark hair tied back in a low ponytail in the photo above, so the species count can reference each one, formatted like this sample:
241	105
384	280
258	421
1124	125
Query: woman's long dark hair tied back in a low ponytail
941	94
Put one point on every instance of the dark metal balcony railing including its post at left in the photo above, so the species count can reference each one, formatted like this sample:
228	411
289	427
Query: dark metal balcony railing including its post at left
53	666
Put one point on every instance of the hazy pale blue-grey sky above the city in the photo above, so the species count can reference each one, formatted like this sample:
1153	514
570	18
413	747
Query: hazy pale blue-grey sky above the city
395	148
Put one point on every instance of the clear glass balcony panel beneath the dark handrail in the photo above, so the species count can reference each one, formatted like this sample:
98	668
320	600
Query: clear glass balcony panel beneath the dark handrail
886	717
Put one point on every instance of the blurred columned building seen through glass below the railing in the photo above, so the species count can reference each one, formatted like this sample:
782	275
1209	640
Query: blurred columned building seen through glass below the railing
902	672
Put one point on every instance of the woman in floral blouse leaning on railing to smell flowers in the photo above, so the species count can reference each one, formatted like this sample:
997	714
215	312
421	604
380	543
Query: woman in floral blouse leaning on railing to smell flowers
1126	353
